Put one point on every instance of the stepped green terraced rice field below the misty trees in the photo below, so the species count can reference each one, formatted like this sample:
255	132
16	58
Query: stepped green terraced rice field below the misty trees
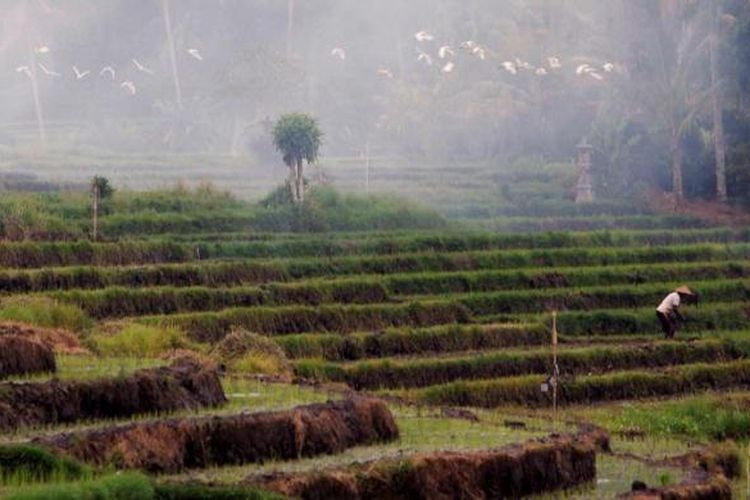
430	322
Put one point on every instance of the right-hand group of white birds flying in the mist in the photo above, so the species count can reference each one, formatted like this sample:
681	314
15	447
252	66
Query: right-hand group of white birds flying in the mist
445	54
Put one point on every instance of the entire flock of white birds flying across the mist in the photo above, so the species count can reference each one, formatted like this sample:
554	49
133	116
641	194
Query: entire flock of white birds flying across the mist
444	56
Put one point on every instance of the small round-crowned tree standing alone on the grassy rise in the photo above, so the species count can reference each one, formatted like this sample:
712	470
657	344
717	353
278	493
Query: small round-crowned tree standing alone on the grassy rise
298	137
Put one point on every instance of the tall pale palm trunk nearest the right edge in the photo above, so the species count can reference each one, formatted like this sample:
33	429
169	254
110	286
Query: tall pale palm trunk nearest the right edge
717	103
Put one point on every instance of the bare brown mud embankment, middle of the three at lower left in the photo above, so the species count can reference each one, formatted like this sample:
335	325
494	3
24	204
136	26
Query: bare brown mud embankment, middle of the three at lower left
171	445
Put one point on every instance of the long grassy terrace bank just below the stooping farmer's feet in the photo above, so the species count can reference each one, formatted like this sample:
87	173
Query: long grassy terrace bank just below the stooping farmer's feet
394	373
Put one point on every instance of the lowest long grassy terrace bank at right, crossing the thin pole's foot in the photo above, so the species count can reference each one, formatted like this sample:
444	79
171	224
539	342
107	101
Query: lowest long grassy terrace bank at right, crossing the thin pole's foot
525	391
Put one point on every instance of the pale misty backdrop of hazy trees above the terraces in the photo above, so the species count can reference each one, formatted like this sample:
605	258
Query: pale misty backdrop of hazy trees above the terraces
388	104
